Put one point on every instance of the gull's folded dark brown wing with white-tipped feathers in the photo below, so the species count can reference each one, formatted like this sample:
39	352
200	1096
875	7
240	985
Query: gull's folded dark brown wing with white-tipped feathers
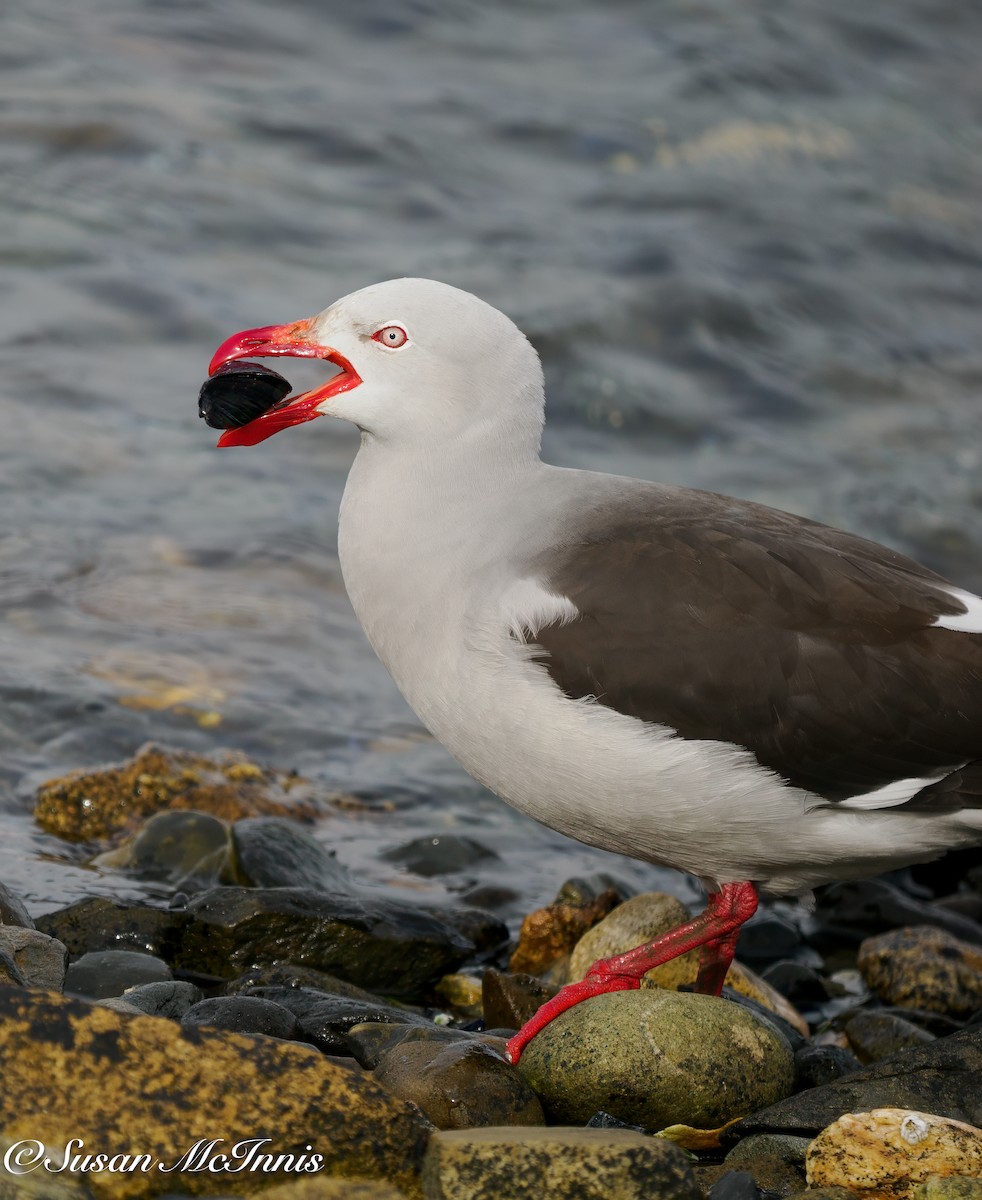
733	622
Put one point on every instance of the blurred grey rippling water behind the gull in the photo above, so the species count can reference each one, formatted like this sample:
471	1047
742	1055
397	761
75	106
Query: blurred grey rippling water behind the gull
744	235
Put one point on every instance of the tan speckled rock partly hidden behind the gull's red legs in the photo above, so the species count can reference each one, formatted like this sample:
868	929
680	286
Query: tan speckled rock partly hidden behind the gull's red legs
645	917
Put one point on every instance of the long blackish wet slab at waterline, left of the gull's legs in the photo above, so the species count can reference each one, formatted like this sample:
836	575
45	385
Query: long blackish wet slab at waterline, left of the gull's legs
379	944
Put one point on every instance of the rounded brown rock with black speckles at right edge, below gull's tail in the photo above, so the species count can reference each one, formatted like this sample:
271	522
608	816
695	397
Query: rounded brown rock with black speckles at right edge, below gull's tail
924	968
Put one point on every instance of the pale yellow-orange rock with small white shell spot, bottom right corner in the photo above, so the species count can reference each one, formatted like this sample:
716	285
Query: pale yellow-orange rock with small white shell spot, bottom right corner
883	1155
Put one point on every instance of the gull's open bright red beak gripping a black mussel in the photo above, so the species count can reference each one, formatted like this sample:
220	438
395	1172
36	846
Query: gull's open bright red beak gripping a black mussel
283	341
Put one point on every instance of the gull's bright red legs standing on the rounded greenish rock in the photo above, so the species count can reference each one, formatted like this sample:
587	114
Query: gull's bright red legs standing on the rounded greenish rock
716	929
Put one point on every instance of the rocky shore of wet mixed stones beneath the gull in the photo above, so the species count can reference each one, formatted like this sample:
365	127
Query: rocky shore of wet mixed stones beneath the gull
272	1025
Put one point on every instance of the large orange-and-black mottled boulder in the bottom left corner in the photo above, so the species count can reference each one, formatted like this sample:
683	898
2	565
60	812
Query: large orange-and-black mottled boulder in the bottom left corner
73	1070
